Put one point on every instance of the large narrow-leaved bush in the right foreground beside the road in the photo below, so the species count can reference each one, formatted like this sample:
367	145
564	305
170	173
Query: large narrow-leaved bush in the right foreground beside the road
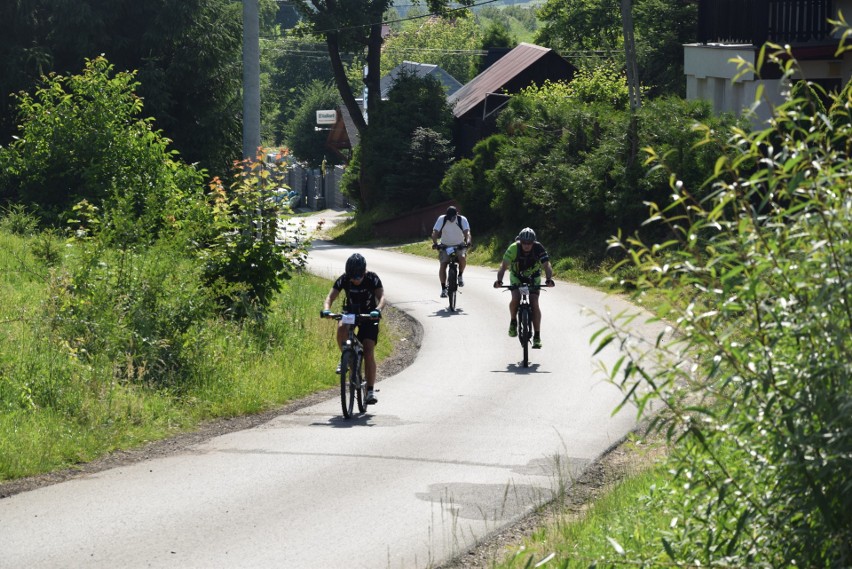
756	384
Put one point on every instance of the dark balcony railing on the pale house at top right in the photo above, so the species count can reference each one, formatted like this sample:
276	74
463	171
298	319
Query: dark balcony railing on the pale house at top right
758	21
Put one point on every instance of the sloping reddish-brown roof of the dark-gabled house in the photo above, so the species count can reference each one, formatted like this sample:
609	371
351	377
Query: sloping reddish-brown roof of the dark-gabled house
495	77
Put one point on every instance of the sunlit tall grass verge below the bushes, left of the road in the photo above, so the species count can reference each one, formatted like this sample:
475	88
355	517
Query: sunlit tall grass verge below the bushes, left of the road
60	406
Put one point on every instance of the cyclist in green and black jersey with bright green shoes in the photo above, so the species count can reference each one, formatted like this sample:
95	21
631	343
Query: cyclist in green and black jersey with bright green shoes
525	258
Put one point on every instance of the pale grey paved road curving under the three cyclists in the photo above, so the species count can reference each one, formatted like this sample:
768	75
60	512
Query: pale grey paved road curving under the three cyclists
461	442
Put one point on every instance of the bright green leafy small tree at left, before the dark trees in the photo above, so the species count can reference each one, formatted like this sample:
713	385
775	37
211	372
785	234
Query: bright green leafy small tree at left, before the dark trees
82	138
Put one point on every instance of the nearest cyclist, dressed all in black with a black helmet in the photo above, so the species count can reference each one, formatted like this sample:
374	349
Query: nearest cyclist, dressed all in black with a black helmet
364	294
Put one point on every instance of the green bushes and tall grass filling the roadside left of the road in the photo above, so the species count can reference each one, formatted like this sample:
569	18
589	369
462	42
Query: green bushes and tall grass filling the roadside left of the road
139	300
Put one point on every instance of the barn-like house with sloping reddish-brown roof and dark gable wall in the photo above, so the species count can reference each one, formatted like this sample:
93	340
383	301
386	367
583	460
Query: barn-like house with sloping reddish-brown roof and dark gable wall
476	105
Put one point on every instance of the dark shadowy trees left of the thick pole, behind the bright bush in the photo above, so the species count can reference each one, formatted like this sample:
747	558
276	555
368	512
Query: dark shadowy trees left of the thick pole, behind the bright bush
187	55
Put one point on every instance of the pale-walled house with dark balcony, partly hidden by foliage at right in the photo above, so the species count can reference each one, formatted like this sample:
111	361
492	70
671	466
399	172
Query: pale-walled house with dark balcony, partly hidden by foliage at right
738	28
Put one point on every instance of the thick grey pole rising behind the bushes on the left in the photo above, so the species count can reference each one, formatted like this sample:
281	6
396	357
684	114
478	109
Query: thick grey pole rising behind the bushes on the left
251	79
